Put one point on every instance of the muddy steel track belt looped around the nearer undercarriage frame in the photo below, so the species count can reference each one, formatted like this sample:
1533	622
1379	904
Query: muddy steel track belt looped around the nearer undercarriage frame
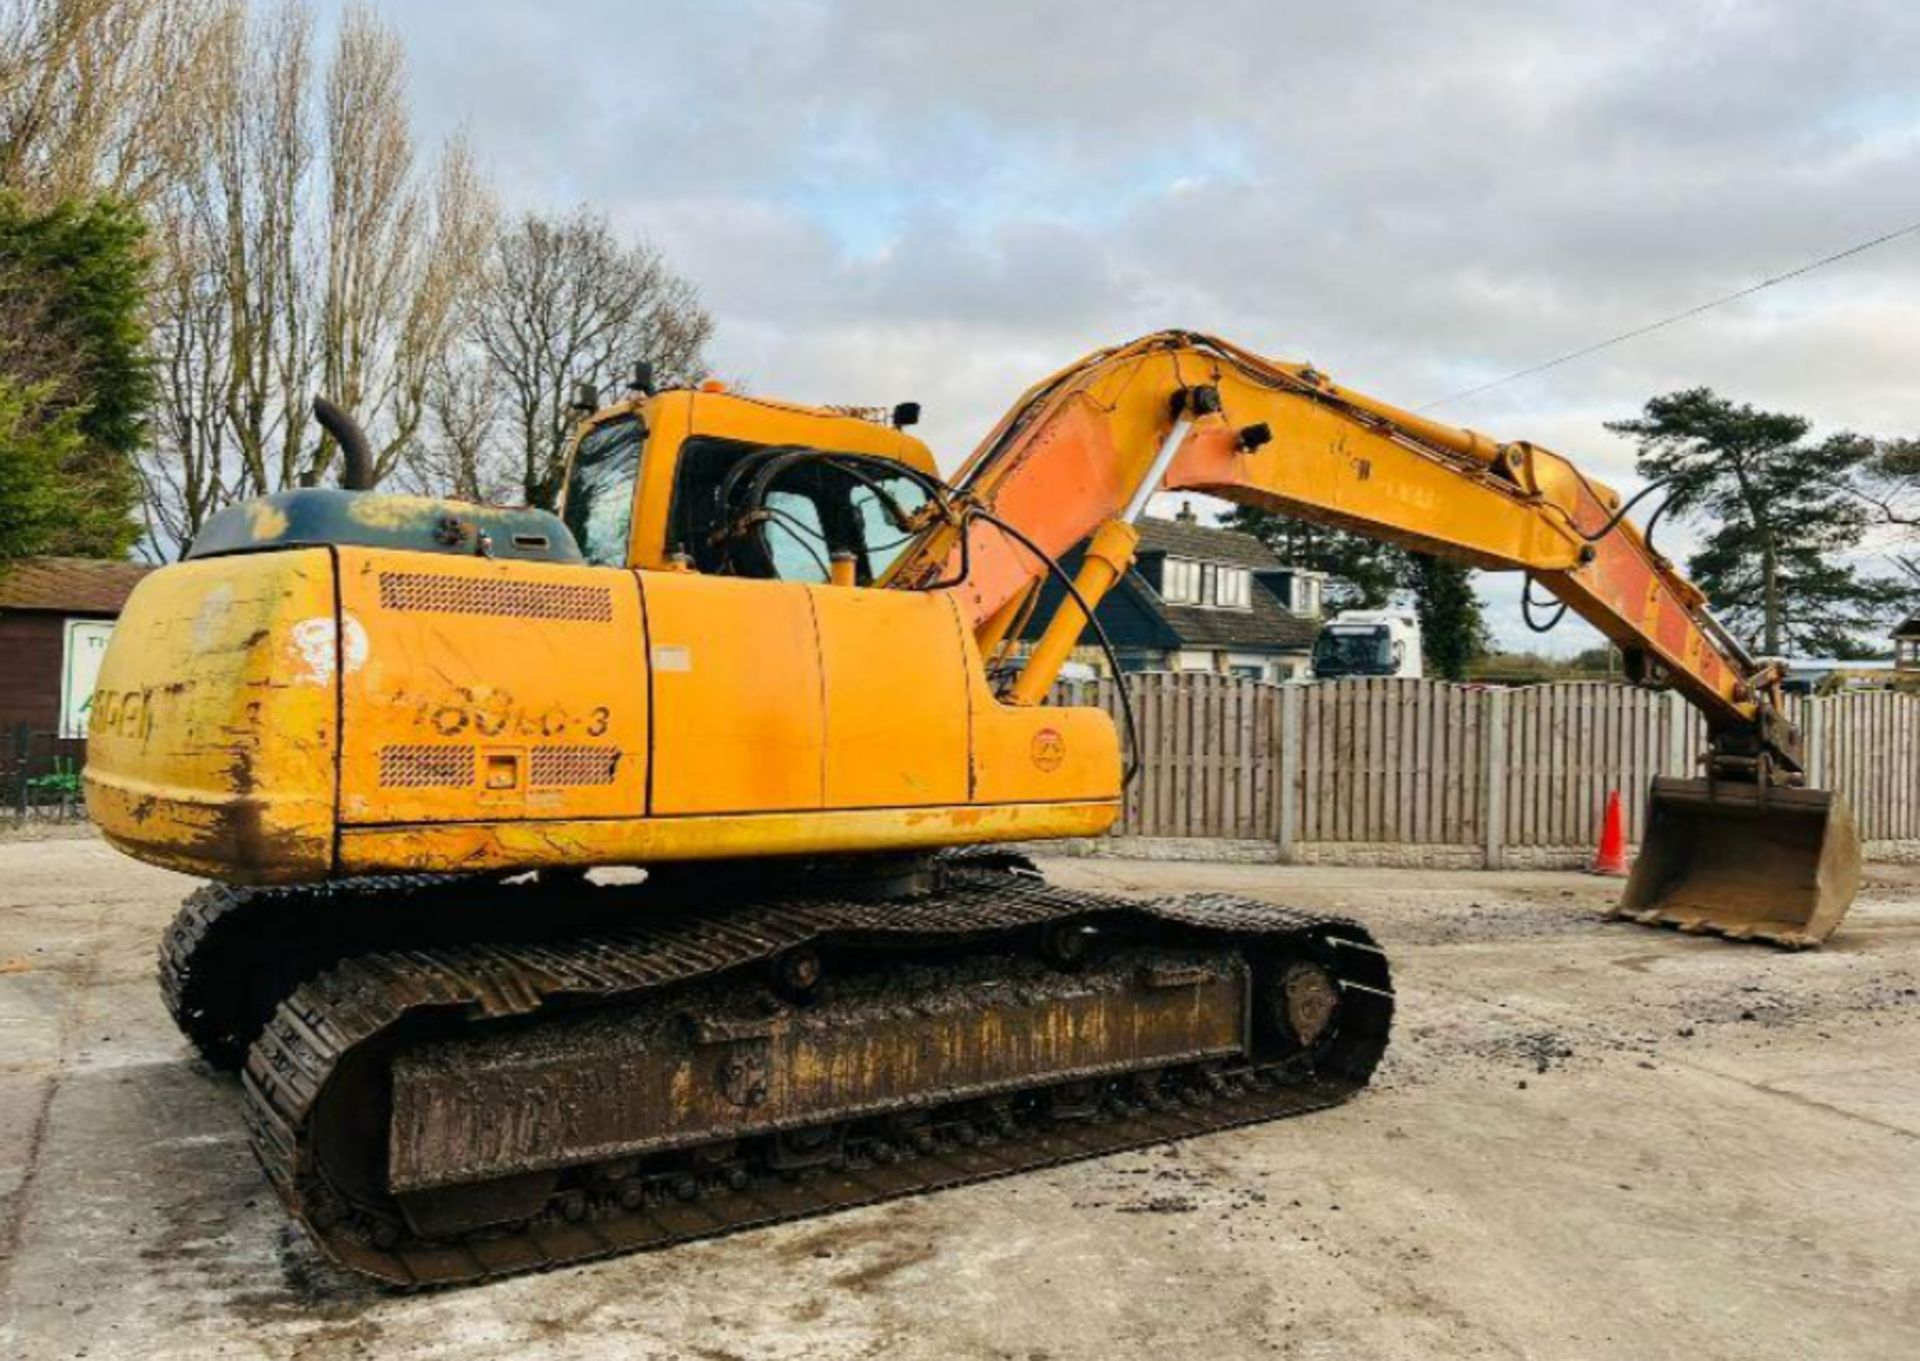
370	995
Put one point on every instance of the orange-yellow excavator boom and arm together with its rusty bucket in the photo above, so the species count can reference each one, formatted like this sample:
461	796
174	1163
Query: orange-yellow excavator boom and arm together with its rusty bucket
1746	851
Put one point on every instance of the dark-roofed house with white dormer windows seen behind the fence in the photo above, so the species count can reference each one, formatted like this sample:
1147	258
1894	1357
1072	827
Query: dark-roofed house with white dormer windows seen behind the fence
1205	600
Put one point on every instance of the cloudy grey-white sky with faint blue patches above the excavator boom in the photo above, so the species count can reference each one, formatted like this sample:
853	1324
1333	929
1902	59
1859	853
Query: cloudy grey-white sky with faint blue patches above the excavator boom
944	203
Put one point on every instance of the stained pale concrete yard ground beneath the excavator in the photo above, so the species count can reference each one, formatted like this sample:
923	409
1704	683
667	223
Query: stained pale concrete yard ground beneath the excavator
1587	1141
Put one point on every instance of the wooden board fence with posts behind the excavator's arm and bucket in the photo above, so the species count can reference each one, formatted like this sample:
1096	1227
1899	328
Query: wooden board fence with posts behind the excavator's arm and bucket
1504	773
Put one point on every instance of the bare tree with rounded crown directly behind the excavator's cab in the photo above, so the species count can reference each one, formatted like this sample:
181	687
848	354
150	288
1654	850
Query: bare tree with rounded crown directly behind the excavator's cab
567	302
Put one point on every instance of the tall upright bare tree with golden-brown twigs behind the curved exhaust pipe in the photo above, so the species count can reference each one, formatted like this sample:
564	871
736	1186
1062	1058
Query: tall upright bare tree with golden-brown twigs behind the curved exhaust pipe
308	251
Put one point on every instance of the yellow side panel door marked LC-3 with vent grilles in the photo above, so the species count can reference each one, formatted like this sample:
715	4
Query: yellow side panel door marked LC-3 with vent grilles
479	690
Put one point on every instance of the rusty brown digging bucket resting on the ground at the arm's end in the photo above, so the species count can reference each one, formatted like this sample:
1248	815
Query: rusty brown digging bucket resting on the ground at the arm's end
1746	863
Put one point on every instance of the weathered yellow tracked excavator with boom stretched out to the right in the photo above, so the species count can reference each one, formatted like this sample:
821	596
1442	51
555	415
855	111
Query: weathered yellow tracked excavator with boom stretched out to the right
769	656
